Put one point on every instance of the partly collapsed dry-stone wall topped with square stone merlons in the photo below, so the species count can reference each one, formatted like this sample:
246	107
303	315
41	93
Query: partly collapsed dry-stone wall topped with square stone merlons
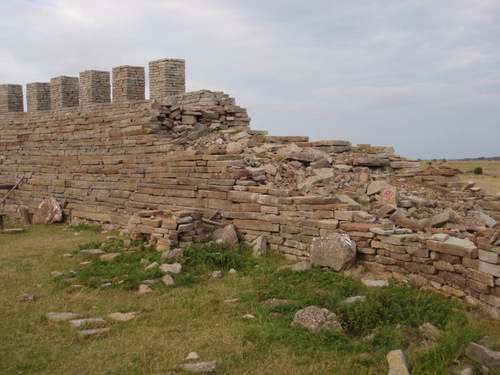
174	168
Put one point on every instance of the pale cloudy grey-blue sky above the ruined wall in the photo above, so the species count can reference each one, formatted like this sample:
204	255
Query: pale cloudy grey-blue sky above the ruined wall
422	76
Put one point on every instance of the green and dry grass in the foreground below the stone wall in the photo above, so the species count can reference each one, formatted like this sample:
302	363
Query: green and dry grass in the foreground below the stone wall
192	315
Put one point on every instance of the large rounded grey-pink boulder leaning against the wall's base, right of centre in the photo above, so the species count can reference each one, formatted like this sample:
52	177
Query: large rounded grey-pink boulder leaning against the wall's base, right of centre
336	251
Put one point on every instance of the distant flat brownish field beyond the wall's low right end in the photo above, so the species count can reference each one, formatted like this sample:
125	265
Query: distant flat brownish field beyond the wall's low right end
489	180
